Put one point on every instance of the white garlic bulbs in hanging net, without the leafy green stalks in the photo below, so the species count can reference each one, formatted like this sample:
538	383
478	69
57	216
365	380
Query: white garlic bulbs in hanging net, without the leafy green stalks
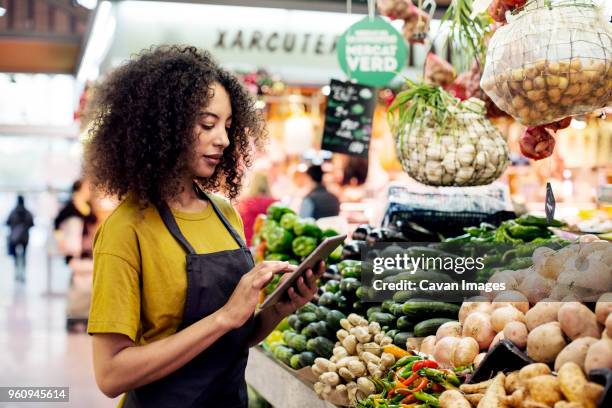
469	151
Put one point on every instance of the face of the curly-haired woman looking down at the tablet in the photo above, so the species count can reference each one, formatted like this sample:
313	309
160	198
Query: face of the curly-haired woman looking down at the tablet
211	133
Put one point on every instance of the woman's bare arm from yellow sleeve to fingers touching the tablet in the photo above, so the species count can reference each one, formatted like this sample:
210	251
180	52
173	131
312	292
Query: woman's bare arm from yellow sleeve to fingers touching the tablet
120	365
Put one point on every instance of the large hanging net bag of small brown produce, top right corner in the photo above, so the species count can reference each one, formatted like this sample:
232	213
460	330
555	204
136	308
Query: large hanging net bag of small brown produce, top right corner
552	60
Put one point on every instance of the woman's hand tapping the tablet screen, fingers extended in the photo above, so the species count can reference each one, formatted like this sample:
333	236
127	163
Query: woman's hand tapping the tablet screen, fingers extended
241	305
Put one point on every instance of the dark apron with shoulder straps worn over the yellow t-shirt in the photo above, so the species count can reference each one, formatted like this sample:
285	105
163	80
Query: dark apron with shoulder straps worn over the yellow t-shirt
214	378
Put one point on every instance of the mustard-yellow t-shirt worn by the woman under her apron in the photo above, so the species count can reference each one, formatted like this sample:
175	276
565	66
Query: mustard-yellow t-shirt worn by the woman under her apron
139	279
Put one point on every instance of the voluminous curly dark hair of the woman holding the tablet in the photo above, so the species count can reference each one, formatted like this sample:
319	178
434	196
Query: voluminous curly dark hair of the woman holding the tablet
143	118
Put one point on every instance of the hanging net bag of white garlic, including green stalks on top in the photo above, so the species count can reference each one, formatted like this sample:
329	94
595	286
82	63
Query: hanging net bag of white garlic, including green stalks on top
442	141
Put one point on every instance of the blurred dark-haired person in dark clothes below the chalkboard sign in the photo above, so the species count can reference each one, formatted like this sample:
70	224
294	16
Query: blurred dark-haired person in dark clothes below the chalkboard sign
319	203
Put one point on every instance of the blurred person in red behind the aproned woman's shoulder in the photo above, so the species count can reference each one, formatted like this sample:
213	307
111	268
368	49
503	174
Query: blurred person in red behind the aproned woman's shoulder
256	202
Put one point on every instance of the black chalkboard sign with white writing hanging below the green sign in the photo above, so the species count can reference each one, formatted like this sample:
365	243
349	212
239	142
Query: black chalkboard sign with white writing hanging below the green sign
348	118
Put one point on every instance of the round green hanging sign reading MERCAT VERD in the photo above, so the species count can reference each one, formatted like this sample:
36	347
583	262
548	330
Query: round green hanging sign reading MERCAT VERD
371	52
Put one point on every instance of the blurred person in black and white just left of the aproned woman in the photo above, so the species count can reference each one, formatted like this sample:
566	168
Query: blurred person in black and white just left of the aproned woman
74	222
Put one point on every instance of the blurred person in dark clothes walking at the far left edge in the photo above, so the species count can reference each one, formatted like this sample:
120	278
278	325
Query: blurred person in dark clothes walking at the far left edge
20	221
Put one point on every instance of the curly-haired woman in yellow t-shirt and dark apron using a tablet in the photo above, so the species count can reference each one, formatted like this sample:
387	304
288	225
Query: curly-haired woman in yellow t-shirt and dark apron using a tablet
175	288
